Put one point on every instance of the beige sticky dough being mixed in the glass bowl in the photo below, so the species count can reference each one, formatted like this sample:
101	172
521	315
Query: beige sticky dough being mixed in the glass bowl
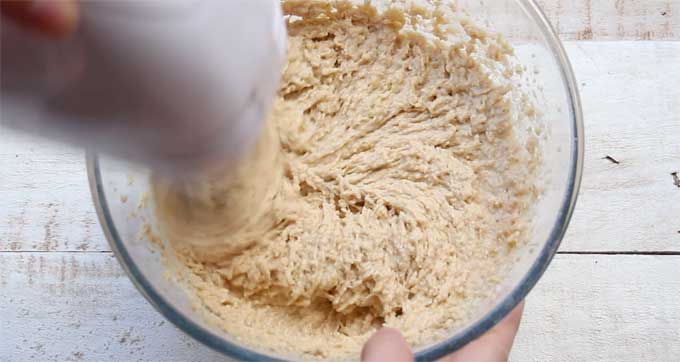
389	189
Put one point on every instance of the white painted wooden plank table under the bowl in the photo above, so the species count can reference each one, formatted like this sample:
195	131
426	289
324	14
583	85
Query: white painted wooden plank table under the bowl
612	293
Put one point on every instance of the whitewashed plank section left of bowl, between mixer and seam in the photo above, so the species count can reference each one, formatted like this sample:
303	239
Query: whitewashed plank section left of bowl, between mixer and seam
45	199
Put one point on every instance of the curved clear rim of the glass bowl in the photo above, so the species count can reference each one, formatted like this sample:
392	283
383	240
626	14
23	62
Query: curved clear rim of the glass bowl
439	349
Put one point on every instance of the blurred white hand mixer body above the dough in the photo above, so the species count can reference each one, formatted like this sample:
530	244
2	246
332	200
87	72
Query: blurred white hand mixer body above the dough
168	83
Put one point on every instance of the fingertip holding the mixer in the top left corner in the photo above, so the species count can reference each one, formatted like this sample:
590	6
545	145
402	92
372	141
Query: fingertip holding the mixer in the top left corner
53	18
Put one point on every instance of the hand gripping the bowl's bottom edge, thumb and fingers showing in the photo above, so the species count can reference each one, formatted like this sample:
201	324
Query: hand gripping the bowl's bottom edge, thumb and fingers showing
388	345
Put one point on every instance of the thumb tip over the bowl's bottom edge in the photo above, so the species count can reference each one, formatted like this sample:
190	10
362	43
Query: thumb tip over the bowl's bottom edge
386	345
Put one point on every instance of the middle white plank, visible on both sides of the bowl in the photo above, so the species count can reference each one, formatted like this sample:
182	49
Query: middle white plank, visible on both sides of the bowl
631	102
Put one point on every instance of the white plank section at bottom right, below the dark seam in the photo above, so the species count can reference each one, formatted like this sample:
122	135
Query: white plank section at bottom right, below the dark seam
603	308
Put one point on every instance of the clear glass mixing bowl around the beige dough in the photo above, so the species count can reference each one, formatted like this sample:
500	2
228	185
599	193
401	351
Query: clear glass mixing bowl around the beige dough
120	193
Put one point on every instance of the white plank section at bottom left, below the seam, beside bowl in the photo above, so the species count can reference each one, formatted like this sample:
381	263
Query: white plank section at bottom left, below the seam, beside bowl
81	307
